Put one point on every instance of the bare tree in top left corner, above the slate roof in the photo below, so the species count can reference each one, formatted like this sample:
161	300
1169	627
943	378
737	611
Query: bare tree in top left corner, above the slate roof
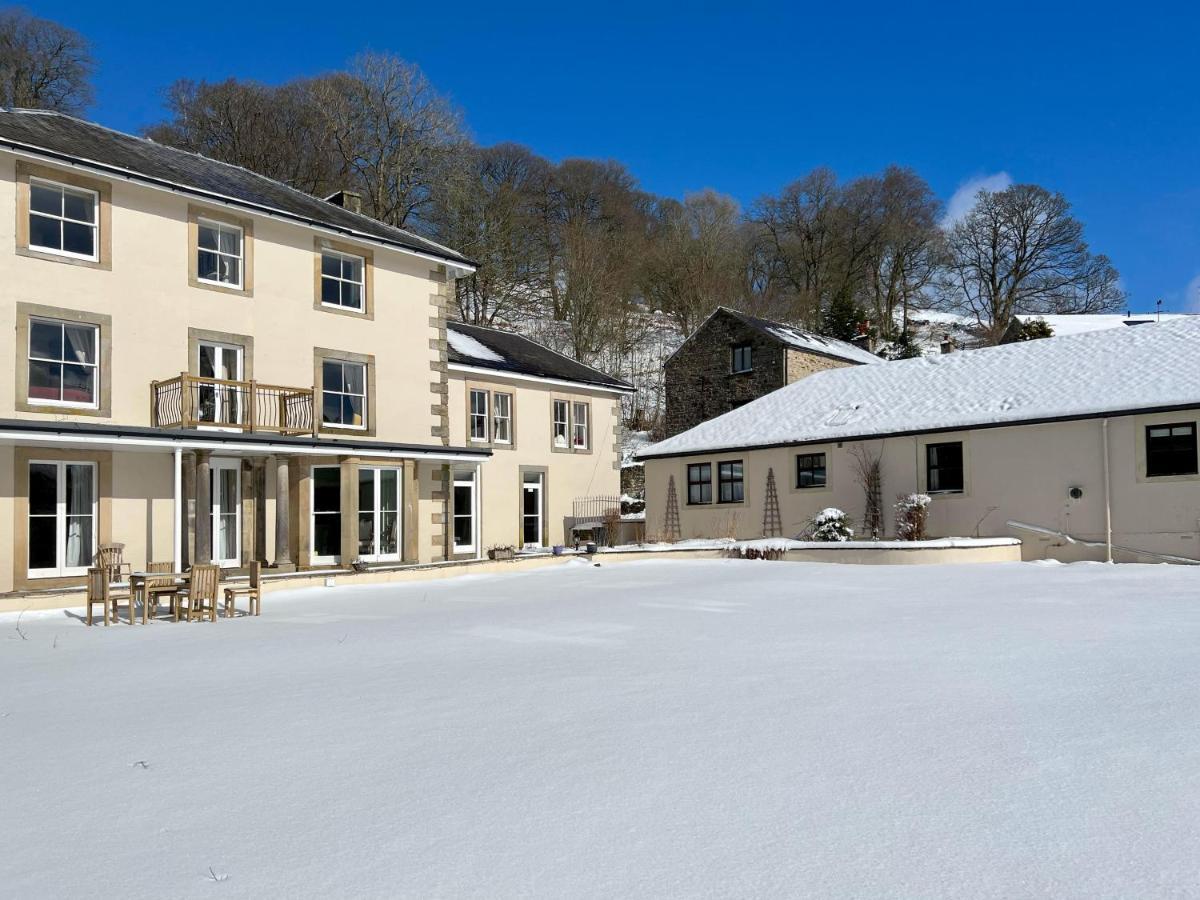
44	65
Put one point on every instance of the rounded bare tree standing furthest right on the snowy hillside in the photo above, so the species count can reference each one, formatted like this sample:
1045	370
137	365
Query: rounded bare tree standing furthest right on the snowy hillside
1021	251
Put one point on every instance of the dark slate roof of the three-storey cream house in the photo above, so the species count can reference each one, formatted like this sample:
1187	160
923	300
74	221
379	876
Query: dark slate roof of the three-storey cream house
73	140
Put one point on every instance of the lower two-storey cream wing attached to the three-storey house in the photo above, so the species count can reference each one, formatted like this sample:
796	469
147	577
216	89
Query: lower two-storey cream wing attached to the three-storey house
554	428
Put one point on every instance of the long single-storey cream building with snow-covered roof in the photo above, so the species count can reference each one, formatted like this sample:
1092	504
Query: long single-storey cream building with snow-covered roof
1091	436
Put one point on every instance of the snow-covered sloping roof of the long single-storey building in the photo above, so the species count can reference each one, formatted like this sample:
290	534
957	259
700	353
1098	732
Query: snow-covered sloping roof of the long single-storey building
1084	375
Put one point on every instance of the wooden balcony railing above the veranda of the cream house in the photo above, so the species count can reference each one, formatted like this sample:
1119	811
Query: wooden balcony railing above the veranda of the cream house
190	401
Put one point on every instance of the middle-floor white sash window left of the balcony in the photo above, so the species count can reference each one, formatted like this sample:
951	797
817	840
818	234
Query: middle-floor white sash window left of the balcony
64	367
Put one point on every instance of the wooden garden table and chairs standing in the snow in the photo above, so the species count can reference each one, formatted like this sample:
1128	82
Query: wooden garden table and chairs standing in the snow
193	595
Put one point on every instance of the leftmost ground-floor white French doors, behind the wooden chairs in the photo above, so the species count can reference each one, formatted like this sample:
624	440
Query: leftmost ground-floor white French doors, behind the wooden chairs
62	518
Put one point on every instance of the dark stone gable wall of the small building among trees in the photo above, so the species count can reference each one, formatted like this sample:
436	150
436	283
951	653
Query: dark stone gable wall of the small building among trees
699	383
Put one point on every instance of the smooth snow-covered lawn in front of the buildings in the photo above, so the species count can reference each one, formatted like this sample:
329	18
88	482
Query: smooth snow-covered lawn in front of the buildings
656	729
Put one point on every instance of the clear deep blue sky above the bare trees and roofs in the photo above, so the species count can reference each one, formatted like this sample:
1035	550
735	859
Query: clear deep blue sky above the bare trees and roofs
1101	103
